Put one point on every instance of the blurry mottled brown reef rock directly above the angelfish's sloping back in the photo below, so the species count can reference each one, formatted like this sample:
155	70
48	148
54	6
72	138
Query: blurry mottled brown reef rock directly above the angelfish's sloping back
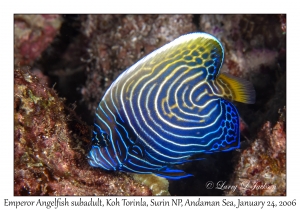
115	42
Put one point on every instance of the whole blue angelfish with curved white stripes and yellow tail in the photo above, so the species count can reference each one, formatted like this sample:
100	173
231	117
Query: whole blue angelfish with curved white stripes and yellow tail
170	105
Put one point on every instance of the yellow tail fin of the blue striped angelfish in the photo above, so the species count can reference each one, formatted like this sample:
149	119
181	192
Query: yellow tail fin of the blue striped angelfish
240	90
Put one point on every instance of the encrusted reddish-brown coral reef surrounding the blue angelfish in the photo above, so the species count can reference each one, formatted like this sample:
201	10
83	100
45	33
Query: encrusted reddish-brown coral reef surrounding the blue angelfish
89	52
